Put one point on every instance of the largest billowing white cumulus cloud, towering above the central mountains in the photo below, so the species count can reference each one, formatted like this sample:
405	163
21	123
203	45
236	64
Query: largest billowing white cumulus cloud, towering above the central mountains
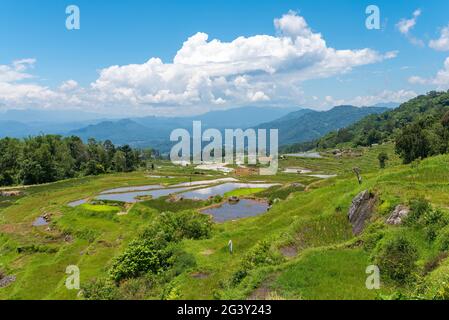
247	69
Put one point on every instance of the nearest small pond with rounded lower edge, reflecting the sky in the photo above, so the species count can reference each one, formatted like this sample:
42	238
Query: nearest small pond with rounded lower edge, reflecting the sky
232	211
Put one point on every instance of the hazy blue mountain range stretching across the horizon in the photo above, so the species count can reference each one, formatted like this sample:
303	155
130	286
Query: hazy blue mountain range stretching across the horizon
295	124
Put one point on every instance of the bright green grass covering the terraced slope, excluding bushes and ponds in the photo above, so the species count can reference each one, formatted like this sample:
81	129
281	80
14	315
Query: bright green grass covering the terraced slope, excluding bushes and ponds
308	230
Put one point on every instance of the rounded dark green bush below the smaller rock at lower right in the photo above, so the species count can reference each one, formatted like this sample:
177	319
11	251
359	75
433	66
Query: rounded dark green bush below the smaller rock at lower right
396	258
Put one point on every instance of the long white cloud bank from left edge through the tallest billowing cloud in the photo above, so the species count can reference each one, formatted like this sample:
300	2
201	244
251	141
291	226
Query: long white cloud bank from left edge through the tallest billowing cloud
206	72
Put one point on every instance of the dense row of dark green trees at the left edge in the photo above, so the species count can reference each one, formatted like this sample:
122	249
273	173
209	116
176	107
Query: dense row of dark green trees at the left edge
48	158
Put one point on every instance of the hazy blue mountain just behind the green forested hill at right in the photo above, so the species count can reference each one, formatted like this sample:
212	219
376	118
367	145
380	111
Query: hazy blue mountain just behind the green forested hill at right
305	125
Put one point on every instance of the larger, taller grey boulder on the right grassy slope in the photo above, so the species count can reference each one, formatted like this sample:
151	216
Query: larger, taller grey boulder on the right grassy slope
361	209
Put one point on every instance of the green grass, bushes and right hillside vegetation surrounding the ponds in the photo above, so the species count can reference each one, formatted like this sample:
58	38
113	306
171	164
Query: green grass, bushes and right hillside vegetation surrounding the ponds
302	248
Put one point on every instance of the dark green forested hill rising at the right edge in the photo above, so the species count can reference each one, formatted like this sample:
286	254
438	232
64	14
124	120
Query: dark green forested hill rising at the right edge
420	127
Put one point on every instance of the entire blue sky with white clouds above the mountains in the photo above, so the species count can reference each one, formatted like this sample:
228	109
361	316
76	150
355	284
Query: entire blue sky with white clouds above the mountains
44	65
